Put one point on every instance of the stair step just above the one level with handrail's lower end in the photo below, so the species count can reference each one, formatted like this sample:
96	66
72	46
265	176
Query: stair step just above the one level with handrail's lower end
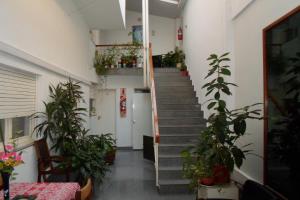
181	129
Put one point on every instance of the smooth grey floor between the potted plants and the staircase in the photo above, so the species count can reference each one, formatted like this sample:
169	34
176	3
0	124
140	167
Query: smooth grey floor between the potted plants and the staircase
132	178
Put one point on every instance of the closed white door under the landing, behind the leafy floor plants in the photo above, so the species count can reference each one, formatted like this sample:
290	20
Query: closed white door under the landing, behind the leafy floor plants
105	119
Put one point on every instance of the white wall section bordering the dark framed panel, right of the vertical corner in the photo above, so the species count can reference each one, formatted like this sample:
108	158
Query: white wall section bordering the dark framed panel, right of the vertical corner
248	45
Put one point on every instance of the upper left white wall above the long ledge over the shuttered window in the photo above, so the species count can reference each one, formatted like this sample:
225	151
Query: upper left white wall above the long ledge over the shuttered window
49	30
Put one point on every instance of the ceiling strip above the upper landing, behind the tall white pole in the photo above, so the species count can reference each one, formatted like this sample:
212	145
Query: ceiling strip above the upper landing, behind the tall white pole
156	7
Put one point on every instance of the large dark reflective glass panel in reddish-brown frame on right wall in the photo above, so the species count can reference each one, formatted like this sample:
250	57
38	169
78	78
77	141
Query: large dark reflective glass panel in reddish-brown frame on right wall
282	105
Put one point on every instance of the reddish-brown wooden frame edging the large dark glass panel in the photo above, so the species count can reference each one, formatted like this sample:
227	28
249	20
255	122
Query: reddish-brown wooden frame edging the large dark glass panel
265	73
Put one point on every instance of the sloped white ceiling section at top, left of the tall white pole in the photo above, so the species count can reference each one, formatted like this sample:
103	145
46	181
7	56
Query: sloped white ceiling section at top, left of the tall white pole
101	14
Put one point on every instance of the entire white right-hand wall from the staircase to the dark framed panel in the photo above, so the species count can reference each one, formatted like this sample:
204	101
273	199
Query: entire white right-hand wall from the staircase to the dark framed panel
217	26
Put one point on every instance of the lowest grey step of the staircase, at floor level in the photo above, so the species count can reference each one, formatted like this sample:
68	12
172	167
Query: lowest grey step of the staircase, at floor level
180	186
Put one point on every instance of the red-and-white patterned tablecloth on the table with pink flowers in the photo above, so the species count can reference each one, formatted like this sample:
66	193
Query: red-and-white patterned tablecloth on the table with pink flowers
44	191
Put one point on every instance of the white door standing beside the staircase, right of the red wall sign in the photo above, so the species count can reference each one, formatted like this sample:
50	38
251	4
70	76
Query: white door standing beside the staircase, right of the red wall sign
141	118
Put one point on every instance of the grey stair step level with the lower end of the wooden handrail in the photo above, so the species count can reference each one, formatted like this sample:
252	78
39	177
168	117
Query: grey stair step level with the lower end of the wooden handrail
177	139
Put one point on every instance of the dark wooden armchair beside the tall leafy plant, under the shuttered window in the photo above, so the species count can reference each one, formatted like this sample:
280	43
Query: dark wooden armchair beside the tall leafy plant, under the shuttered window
46	169
